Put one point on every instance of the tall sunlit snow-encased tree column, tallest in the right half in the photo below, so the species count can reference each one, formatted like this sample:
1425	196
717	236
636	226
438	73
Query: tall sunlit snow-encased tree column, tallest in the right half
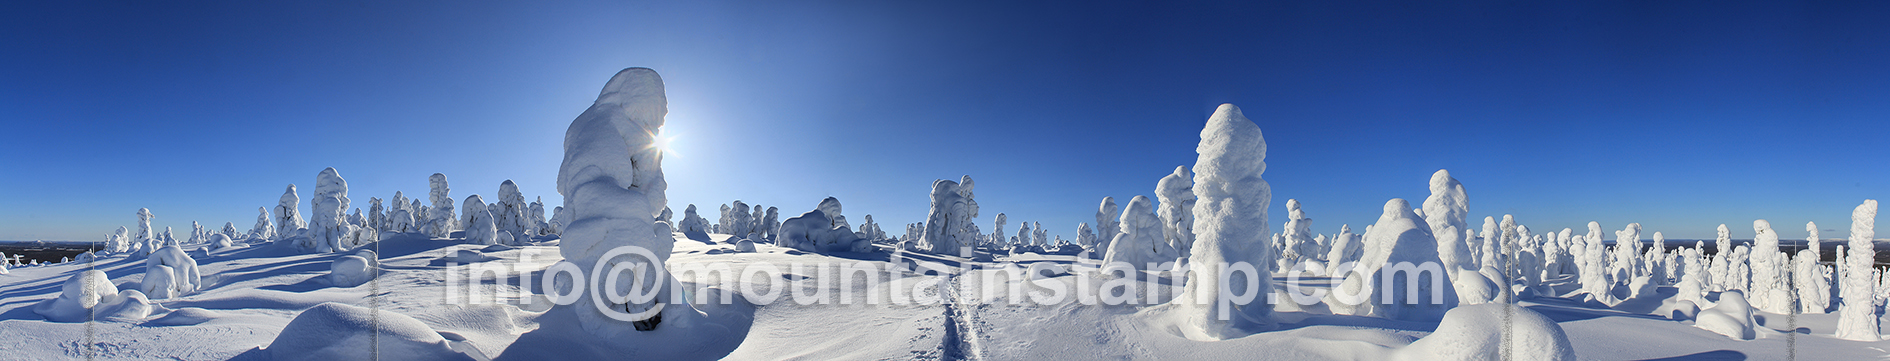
1229	230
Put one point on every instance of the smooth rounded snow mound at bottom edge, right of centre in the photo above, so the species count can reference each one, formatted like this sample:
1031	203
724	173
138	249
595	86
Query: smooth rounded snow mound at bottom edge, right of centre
1479	332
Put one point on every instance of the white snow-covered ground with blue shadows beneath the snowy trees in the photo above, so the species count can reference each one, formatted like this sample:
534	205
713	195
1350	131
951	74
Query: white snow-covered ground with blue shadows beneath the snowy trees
252	294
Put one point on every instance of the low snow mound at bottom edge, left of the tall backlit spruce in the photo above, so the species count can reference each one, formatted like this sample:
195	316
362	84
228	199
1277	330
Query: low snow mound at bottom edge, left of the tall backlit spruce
343	332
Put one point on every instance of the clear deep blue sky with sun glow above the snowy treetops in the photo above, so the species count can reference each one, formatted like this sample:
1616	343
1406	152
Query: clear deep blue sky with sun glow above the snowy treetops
1674	114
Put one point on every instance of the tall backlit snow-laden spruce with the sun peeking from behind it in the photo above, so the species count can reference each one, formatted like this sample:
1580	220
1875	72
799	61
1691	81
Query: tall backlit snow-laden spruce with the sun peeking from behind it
613	184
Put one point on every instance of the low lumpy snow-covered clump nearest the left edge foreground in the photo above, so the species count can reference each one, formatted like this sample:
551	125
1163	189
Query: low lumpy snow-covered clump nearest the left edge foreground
92	298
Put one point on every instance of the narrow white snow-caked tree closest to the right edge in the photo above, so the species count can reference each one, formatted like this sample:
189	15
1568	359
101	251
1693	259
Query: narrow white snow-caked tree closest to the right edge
1857	313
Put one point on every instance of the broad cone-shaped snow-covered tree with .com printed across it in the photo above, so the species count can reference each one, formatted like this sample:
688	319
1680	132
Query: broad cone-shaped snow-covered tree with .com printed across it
1400	247
